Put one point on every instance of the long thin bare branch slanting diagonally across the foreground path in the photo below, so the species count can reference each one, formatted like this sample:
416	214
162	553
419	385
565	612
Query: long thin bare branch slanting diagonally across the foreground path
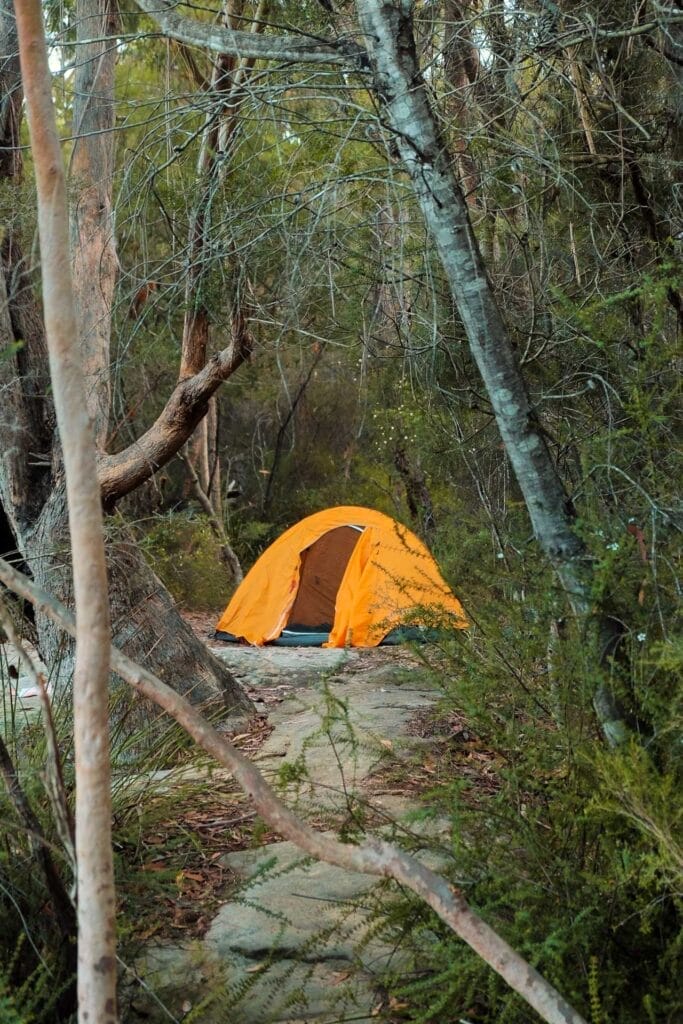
372	858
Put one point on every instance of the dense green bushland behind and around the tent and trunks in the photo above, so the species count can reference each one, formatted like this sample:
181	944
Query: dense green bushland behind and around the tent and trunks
361	391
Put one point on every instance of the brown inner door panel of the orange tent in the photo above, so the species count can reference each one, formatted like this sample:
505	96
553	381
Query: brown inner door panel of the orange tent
323	567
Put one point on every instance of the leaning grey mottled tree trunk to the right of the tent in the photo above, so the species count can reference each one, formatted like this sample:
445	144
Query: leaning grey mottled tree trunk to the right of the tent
389	32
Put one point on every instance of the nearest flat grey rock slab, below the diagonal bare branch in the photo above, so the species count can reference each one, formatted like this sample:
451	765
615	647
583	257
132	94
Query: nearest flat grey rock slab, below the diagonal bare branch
288	948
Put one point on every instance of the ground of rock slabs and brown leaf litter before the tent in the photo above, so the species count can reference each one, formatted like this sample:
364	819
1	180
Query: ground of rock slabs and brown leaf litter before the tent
225	922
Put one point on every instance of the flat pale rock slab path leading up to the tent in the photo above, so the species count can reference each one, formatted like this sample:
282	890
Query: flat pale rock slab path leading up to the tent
291	945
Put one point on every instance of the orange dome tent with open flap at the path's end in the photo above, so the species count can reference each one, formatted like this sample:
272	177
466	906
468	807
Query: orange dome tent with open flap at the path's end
345	577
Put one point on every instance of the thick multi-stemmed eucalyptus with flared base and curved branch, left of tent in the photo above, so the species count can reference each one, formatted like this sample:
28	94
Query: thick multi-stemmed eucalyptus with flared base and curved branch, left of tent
32	487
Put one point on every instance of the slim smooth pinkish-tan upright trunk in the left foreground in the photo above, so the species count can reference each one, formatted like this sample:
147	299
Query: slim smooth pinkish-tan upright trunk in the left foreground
97	922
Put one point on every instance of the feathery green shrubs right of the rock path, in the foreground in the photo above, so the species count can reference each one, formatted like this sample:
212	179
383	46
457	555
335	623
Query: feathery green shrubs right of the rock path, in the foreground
575	857
